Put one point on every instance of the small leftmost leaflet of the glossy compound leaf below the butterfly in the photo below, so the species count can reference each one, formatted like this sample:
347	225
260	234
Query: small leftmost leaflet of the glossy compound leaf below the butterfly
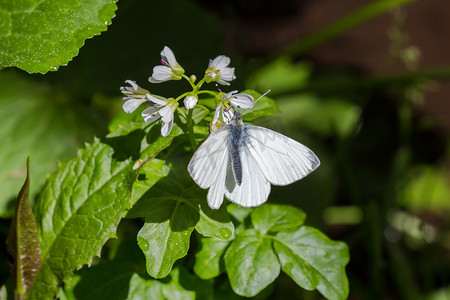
209	262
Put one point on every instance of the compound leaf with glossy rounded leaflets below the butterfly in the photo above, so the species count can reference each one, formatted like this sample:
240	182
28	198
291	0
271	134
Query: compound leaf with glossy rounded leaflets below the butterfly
277	239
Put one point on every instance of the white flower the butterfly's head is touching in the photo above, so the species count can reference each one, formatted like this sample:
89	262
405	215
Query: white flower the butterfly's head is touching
240	100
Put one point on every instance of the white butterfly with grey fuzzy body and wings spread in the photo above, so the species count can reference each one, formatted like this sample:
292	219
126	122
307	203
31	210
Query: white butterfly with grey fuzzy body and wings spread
241	161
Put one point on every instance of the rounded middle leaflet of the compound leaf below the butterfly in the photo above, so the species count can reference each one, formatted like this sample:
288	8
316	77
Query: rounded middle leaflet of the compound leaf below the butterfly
251	263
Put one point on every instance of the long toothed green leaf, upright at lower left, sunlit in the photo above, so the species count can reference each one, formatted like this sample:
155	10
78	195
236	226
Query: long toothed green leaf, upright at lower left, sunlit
78	211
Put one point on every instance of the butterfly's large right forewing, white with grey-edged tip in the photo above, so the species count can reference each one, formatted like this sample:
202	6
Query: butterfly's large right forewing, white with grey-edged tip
281	159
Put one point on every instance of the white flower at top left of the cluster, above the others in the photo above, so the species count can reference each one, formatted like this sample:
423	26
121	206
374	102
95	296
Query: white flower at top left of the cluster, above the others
170	69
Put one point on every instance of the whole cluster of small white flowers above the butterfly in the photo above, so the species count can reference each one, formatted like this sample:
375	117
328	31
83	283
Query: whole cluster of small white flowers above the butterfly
164	109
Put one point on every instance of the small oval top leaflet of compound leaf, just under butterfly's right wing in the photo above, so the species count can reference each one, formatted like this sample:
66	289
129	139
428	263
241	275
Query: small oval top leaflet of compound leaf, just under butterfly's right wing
274	218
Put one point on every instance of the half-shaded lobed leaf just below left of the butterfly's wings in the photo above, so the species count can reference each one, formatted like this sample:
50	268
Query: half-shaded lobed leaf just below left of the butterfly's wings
172	209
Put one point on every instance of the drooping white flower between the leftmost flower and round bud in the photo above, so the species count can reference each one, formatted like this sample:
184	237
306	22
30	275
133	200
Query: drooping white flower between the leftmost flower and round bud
162	108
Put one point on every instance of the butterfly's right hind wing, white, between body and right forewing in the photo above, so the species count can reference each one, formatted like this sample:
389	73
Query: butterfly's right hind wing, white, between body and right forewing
254	188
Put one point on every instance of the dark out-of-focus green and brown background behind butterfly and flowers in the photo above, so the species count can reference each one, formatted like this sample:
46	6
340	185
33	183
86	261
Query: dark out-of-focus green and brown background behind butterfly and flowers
368	92
